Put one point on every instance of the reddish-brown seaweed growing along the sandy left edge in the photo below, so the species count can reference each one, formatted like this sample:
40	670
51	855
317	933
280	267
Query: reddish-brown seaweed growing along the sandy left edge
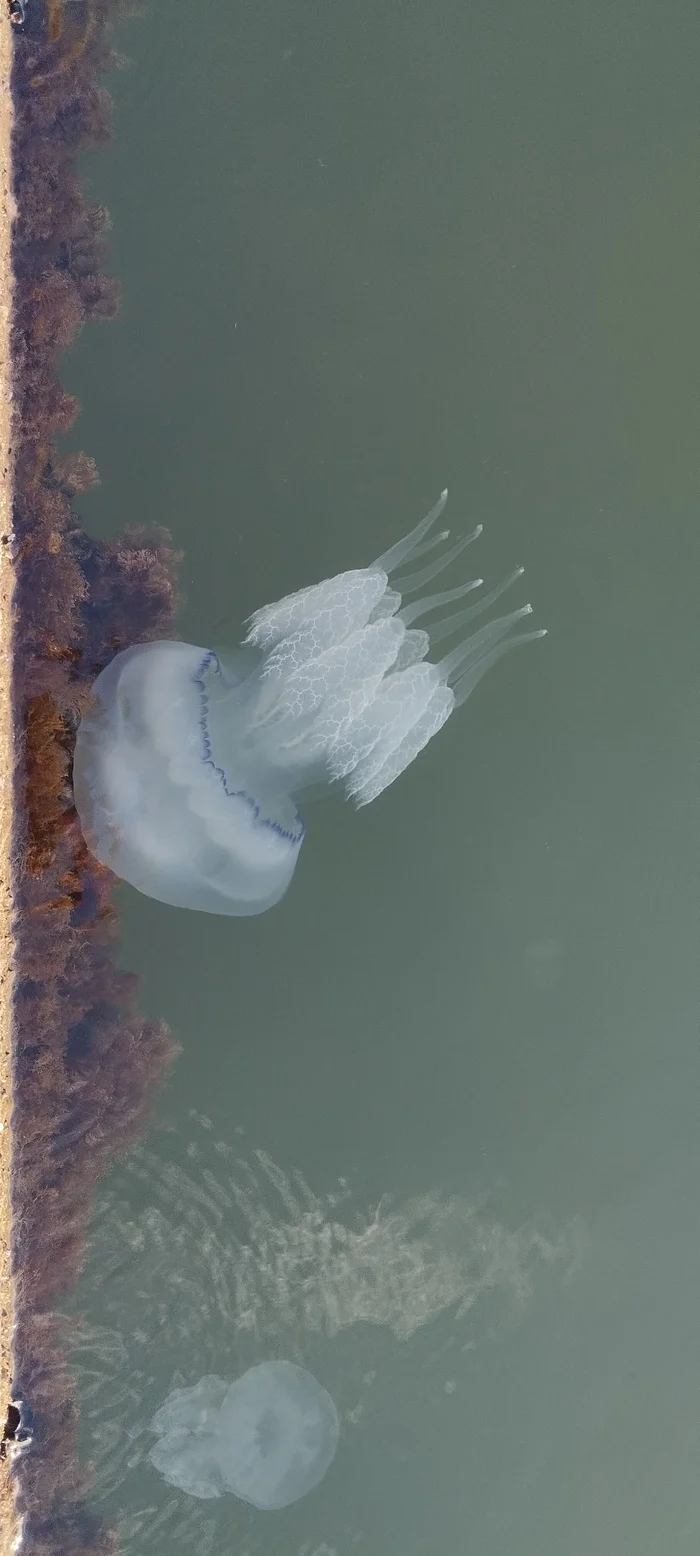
85	1060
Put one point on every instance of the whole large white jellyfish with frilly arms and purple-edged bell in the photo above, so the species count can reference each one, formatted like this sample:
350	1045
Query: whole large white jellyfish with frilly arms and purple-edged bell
191	765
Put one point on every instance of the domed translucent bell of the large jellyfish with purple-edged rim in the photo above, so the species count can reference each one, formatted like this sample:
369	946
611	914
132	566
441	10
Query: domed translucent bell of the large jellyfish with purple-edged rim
153	801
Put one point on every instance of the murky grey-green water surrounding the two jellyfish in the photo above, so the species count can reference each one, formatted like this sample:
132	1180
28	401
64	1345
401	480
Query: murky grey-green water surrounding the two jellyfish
369	251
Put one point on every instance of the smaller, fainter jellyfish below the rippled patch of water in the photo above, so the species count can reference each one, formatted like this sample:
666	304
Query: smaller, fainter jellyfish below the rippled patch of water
270	1437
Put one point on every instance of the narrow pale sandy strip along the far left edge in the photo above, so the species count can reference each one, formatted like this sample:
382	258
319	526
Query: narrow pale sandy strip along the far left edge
9	1523
